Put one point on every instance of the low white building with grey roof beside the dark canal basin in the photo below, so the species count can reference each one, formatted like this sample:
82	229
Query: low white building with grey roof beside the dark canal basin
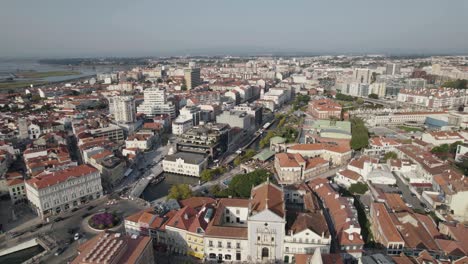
185	163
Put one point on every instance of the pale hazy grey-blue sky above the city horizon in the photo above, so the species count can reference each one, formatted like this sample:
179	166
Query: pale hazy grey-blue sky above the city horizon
65	28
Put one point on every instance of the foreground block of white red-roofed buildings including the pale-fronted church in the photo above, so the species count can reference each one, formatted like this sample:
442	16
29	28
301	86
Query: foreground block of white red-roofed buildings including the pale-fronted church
233	229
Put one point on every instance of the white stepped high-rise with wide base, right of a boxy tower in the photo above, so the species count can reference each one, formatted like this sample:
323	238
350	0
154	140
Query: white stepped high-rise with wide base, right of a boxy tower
156	103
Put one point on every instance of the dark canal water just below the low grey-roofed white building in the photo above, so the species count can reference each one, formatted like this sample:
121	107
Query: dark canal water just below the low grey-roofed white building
156	191
